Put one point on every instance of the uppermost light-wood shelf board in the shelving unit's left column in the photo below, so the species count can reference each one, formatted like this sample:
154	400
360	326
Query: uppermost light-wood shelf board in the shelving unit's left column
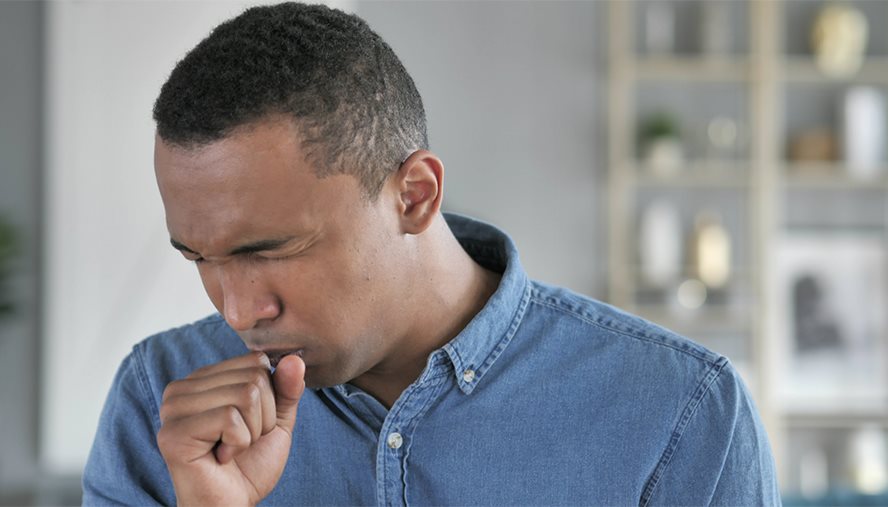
692	69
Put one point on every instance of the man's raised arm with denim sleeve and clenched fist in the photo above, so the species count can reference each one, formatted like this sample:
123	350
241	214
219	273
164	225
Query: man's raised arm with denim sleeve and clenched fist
221	436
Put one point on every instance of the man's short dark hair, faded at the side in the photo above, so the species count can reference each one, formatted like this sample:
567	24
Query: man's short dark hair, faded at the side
357	108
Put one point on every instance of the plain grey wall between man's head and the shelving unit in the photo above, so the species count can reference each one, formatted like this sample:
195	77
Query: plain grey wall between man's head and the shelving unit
513	93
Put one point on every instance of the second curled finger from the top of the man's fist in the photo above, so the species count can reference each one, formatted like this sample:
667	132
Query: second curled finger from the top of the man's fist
254	399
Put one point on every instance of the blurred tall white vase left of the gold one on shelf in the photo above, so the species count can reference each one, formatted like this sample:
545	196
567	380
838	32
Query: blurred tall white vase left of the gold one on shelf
660	248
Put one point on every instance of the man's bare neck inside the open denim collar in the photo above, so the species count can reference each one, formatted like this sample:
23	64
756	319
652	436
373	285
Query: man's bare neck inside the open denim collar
454	288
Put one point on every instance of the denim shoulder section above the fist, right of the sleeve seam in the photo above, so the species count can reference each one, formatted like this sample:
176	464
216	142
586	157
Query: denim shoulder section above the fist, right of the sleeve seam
175	353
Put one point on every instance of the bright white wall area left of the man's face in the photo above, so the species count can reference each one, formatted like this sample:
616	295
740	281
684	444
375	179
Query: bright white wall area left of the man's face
111	277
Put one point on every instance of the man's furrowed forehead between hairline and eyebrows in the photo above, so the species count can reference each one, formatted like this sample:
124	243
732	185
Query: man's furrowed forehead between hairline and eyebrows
251	185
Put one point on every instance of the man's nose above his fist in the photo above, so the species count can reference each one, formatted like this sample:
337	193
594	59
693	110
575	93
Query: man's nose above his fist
246	300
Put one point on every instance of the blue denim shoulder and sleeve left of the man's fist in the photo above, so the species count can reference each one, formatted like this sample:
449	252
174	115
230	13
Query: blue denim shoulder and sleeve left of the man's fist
124	465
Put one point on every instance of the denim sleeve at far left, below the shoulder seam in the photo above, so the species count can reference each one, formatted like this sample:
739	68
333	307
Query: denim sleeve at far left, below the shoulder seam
125	466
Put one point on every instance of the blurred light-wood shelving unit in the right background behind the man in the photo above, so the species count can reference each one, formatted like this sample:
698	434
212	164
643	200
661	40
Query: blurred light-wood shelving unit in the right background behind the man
757	80
